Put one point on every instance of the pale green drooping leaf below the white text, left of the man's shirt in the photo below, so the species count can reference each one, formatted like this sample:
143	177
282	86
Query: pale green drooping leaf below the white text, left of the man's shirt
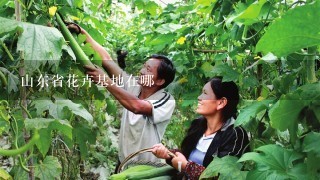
56	109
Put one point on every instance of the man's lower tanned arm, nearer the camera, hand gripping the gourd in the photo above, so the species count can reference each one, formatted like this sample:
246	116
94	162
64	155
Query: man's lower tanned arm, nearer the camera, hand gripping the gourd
126	99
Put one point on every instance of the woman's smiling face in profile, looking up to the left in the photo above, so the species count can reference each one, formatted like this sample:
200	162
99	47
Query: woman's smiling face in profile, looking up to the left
207	101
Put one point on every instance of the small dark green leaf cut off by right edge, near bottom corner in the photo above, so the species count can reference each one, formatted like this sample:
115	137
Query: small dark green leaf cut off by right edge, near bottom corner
311	143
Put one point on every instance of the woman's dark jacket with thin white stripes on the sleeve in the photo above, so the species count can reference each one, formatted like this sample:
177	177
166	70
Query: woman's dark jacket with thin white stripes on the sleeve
229	140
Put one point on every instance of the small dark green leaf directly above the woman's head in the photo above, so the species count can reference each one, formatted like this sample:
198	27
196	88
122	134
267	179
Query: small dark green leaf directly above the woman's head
226	71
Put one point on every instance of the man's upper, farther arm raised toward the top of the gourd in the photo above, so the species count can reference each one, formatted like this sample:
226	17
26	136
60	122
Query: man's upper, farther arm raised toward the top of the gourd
108	64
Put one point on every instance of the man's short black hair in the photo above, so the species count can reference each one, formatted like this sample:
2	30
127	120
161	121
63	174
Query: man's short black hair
165	70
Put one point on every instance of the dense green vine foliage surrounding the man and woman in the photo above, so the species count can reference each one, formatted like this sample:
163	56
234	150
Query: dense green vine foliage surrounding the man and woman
269	48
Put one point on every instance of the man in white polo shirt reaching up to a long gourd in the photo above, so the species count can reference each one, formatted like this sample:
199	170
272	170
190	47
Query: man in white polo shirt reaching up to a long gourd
147	107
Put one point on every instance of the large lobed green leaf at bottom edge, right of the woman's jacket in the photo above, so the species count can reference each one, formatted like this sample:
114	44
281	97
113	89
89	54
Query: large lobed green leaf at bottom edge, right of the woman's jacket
274	162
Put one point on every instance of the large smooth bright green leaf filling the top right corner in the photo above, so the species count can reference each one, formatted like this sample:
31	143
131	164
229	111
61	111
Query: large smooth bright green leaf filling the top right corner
286	34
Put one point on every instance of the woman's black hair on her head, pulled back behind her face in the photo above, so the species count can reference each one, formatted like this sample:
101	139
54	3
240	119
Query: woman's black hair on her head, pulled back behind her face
230	91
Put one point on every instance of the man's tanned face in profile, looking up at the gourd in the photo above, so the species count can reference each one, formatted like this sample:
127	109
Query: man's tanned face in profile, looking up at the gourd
149	72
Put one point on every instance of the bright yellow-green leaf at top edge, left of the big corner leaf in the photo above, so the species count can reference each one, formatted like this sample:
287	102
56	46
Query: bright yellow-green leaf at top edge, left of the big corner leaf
251	14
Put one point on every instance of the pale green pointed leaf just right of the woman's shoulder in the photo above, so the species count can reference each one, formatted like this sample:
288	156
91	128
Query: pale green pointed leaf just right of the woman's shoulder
247	113
